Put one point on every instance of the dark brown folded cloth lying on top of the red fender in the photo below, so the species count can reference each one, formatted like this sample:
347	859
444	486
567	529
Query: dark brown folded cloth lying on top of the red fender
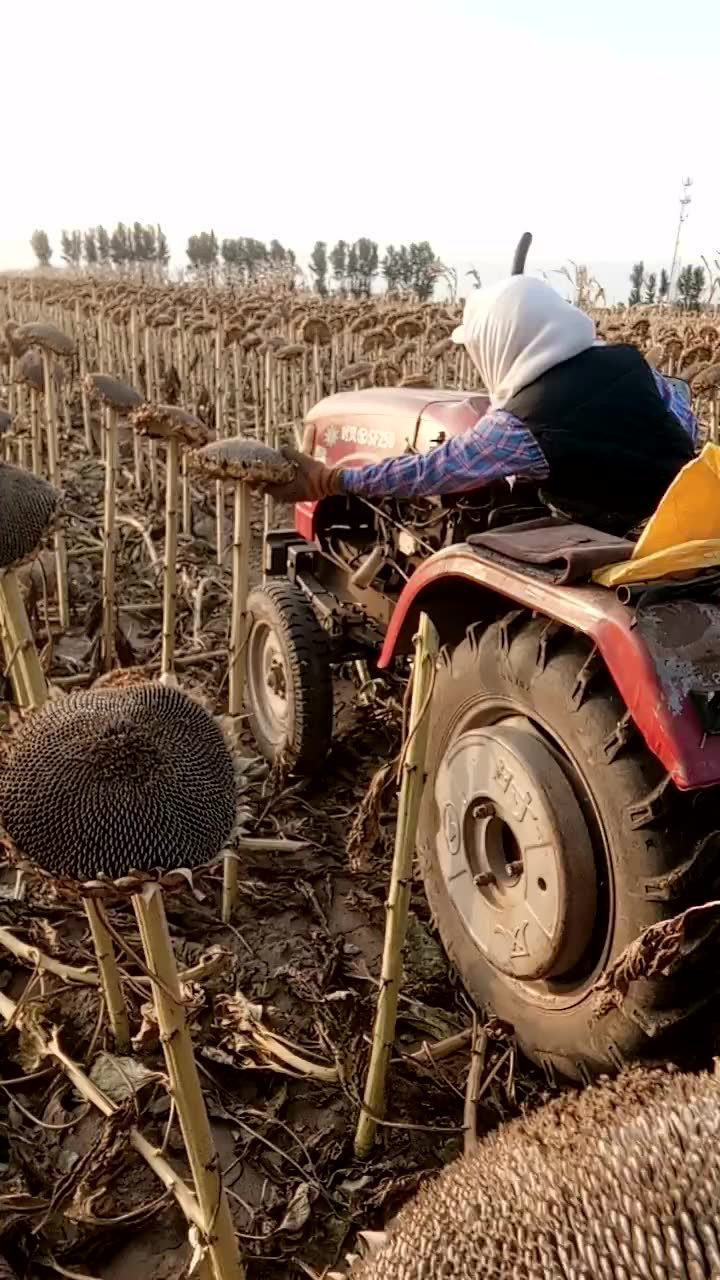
563	552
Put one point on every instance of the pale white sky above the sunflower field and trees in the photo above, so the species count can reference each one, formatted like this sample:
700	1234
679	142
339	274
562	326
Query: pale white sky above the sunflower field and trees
462	122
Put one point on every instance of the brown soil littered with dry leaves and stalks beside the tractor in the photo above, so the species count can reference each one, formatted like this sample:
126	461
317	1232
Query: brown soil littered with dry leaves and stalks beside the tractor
302	961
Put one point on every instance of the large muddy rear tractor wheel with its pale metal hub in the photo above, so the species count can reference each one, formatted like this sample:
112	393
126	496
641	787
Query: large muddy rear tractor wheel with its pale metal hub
545	847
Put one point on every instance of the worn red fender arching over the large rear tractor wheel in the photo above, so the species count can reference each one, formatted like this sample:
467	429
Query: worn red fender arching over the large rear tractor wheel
657	693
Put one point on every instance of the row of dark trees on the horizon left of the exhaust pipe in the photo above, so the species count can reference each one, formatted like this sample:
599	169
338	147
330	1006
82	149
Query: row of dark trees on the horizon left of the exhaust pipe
349	269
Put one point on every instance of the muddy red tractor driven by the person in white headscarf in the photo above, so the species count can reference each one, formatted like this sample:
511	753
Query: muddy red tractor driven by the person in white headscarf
575	746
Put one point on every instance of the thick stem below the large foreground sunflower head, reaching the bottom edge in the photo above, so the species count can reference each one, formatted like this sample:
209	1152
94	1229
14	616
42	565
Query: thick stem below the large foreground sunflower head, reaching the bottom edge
185	1086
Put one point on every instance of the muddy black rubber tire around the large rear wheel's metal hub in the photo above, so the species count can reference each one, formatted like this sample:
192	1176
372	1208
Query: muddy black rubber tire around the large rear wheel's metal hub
654	849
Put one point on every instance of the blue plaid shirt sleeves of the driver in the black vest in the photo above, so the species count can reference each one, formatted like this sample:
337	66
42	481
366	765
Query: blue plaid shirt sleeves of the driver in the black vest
498	447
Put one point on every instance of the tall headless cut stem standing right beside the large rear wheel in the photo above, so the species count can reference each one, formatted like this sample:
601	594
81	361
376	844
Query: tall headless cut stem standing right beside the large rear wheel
402	877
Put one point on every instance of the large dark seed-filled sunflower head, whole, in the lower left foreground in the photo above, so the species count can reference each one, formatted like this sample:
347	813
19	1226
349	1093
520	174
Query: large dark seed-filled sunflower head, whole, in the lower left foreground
112	781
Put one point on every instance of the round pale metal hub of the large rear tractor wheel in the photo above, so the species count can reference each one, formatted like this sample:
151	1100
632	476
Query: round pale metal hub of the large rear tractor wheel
516	851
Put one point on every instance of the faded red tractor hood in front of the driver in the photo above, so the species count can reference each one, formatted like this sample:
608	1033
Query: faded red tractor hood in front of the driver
354	428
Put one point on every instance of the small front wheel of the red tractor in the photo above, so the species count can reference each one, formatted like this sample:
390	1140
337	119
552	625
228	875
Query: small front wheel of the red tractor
289	679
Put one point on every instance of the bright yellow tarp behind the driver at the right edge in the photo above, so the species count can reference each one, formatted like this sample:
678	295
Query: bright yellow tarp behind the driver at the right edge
685	532
